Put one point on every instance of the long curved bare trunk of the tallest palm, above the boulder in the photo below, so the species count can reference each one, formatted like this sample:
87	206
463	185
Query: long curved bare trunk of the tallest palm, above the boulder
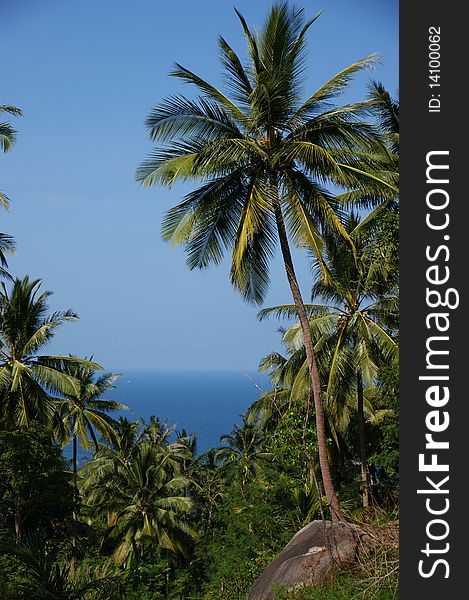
336	513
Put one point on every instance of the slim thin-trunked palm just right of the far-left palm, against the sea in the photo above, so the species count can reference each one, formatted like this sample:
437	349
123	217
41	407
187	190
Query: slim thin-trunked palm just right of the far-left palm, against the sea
81	416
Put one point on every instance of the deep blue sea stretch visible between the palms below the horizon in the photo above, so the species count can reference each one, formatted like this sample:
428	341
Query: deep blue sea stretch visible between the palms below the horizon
209	404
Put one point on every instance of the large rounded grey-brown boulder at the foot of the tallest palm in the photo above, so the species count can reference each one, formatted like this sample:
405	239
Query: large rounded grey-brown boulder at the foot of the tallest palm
313	554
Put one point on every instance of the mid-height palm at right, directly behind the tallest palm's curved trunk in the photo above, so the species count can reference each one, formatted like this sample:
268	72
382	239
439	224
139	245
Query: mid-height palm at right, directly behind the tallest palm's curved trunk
355	324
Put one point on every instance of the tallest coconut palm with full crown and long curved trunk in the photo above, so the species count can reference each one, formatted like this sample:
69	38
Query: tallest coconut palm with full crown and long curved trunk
263	156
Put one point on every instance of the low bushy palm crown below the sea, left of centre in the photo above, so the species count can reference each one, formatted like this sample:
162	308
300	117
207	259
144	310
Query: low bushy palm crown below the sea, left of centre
142	500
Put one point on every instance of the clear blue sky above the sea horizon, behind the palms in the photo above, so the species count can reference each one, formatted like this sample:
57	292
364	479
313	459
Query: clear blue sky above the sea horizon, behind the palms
86	73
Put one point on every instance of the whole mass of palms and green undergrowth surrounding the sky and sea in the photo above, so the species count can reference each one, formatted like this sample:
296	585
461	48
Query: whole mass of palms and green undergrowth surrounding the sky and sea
95	505
